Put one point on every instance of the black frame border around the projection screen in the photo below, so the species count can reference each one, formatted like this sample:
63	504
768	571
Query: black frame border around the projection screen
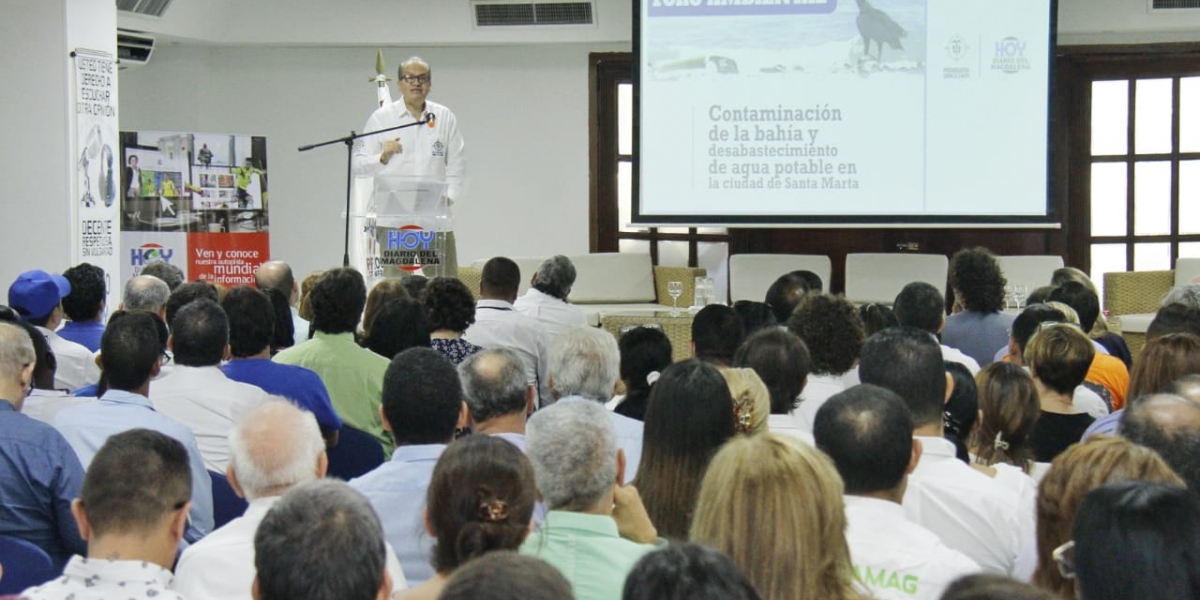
1051	220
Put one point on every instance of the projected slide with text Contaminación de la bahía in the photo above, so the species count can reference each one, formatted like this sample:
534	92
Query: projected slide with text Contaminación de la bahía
843	110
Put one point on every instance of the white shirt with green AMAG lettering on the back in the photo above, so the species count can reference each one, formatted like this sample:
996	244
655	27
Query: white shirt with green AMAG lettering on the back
896	559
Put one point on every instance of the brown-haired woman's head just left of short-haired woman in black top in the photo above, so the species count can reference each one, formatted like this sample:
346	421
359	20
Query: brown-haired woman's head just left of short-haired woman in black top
1009	412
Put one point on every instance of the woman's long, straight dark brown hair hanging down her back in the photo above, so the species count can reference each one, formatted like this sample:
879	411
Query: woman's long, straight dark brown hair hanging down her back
676	451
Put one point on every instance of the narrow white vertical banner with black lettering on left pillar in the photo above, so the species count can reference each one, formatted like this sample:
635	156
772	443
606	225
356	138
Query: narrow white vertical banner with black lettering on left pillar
98	167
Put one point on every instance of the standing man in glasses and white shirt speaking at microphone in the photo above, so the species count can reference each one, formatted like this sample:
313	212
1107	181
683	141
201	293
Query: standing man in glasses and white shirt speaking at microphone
419	170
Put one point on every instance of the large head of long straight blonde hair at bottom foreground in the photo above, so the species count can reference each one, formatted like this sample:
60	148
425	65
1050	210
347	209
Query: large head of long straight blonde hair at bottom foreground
776	507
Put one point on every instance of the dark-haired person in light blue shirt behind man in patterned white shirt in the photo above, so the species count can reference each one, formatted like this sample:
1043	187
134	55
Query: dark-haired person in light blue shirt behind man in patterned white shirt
131	353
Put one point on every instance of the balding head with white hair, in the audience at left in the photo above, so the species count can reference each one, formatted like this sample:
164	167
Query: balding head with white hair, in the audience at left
275	448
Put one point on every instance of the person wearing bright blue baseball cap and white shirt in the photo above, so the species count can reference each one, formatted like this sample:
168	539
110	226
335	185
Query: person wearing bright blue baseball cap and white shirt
38	297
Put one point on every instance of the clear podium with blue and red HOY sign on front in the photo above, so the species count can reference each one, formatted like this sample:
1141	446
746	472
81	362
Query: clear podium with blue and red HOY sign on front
401	230
